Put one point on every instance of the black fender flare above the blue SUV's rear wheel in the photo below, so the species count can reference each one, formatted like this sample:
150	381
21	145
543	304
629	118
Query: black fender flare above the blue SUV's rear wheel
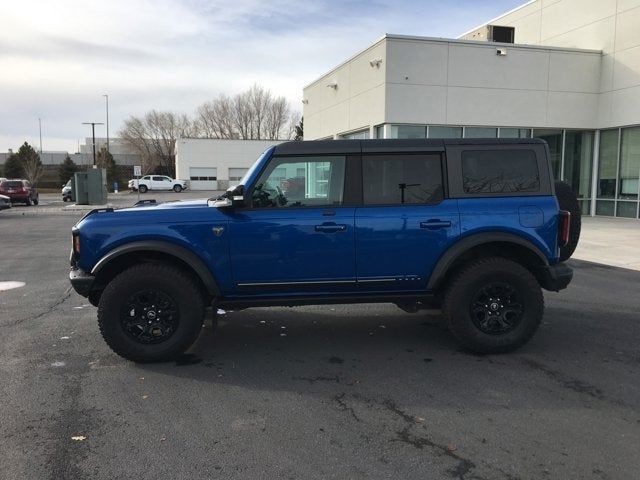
462	246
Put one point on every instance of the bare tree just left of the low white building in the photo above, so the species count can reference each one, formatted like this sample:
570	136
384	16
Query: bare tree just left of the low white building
154	138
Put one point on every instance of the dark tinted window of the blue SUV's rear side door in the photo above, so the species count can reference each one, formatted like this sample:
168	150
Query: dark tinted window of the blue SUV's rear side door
402	179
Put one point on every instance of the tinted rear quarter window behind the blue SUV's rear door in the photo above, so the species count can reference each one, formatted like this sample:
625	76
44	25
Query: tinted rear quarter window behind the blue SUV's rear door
499	171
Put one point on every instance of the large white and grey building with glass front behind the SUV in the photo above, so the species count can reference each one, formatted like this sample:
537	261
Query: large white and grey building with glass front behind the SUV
572	77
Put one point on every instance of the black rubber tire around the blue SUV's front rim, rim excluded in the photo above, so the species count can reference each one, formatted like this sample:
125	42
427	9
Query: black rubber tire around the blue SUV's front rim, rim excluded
167	280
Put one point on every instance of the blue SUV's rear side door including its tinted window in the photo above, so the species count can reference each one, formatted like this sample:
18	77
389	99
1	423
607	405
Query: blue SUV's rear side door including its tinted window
406	221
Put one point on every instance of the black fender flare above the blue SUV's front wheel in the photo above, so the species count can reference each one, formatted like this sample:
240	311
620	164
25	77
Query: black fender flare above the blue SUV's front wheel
181	253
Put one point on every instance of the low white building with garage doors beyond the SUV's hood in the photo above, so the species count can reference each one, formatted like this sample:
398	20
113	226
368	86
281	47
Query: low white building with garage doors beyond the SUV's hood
216	164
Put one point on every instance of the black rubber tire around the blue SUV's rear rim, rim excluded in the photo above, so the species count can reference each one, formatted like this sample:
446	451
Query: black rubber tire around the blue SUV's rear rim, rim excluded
463	288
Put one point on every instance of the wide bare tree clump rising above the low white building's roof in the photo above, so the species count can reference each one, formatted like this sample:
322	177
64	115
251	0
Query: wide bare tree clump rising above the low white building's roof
253	114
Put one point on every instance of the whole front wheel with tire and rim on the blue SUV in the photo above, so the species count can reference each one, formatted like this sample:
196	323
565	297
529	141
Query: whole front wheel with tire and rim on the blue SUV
151	313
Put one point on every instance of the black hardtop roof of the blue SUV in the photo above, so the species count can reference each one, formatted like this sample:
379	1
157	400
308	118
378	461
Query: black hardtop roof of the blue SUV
311	147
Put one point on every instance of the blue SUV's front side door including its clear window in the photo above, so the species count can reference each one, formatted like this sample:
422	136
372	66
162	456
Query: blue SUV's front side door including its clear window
296	234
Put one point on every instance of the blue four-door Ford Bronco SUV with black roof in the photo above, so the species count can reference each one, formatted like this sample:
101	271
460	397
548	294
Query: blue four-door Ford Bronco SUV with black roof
475	227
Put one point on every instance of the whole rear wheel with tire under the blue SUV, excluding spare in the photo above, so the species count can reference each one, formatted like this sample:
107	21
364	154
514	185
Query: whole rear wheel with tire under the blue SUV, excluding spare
493	305
